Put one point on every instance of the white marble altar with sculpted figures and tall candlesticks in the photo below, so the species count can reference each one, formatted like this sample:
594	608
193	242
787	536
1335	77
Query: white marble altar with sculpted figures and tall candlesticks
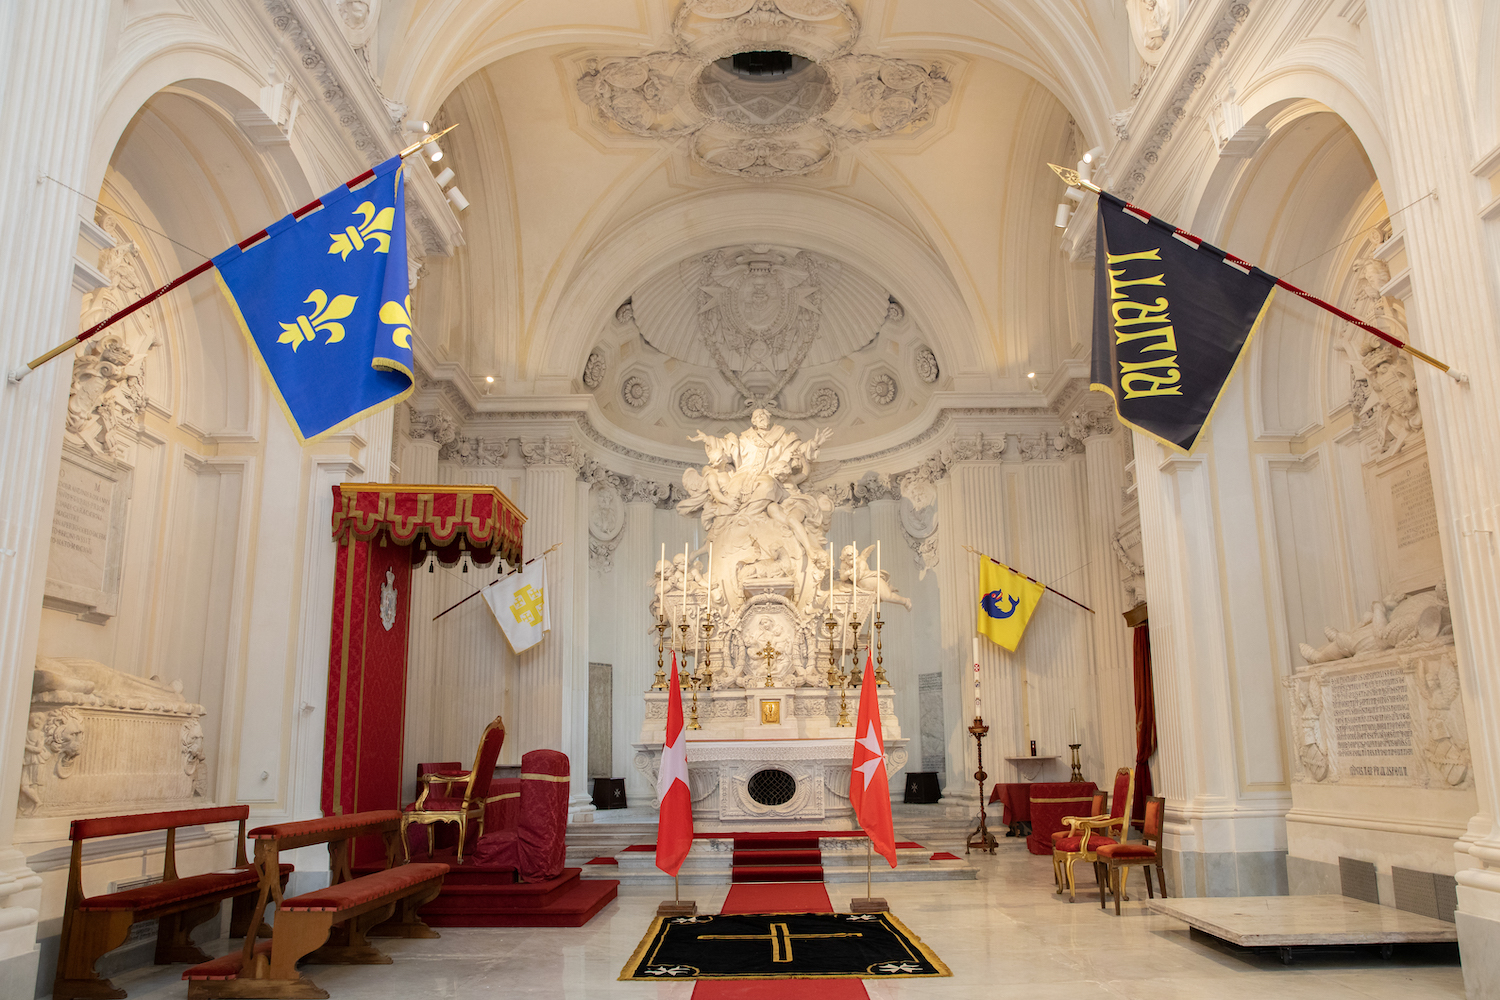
773	633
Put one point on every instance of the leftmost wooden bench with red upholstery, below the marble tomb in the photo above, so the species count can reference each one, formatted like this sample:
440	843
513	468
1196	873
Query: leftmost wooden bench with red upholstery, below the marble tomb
94	926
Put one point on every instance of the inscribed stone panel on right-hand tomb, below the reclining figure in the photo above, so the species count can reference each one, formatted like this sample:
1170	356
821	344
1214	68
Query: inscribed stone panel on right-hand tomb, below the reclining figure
1373	725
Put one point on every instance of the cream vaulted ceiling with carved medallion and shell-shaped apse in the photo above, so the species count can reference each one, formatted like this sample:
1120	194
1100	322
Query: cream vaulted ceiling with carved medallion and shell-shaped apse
847	230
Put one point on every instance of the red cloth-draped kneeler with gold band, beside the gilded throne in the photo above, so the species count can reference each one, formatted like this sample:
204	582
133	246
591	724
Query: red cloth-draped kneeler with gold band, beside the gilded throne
536	846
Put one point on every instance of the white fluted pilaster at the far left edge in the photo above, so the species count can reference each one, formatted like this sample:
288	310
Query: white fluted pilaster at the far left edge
52	73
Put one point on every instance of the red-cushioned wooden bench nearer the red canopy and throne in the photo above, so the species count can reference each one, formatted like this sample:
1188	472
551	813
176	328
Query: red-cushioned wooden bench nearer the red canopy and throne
329	926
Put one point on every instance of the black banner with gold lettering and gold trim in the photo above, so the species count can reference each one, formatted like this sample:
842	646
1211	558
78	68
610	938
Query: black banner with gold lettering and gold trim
1172	317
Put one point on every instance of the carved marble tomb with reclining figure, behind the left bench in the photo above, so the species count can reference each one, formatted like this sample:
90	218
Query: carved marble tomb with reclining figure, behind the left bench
101	740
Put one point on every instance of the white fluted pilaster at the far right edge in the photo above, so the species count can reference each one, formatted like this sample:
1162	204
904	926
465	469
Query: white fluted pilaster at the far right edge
1453	304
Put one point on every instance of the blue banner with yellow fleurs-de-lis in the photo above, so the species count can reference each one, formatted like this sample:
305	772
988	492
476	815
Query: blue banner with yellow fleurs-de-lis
325	302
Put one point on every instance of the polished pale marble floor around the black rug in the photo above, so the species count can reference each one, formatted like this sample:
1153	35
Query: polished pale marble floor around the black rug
1006	935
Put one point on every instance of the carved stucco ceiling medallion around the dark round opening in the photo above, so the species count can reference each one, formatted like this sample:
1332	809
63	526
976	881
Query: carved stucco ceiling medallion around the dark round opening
764	124
